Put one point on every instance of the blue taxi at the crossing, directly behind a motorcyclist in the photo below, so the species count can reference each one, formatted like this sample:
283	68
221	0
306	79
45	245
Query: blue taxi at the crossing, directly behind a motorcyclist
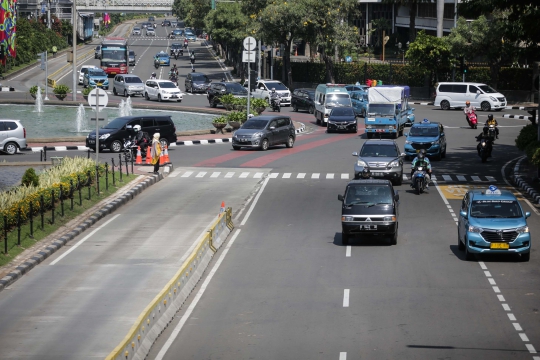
426	135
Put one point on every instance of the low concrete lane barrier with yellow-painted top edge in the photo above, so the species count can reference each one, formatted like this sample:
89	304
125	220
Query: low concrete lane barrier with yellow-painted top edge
162	309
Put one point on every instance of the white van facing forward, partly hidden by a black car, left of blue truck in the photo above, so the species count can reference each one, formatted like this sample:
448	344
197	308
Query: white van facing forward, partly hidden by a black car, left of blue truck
327	97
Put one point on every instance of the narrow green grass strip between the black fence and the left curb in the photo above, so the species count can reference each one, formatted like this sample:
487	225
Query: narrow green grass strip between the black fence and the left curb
26	241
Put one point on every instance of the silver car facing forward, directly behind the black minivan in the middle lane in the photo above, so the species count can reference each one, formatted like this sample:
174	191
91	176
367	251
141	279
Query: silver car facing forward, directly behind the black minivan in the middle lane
383	158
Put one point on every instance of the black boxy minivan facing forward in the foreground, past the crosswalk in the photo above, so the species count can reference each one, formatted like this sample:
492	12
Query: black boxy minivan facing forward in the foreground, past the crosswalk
369	207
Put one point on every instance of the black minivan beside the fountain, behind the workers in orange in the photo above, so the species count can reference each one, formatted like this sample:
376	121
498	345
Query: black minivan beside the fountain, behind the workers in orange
112	135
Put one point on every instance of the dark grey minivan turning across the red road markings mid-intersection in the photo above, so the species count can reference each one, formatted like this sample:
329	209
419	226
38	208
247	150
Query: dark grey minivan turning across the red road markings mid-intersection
264	131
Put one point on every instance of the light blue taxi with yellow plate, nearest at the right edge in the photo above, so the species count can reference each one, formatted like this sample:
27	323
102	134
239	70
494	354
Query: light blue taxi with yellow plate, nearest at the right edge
492	221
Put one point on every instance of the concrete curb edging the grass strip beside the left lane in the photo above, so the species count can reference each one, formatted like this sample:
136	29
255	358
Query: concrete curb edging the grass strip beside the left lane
111	207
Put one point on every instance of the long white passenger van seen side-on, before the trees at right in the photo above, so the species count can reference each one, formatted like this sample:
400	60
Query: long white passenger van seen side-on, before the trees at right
455	94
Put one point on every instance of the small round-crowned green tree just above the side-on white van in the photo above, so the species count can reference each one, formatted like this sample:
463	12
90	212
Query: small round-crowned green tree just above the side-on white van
430	53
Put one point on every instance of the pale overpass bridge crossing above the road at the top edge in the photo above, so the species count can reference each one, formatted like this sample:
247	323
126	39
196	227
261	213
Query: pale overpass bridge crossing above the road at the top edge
125	6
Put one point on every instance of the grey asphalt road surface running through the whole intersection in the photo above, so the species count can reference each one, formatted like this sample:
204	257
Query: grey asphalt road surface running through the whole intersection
288	288
